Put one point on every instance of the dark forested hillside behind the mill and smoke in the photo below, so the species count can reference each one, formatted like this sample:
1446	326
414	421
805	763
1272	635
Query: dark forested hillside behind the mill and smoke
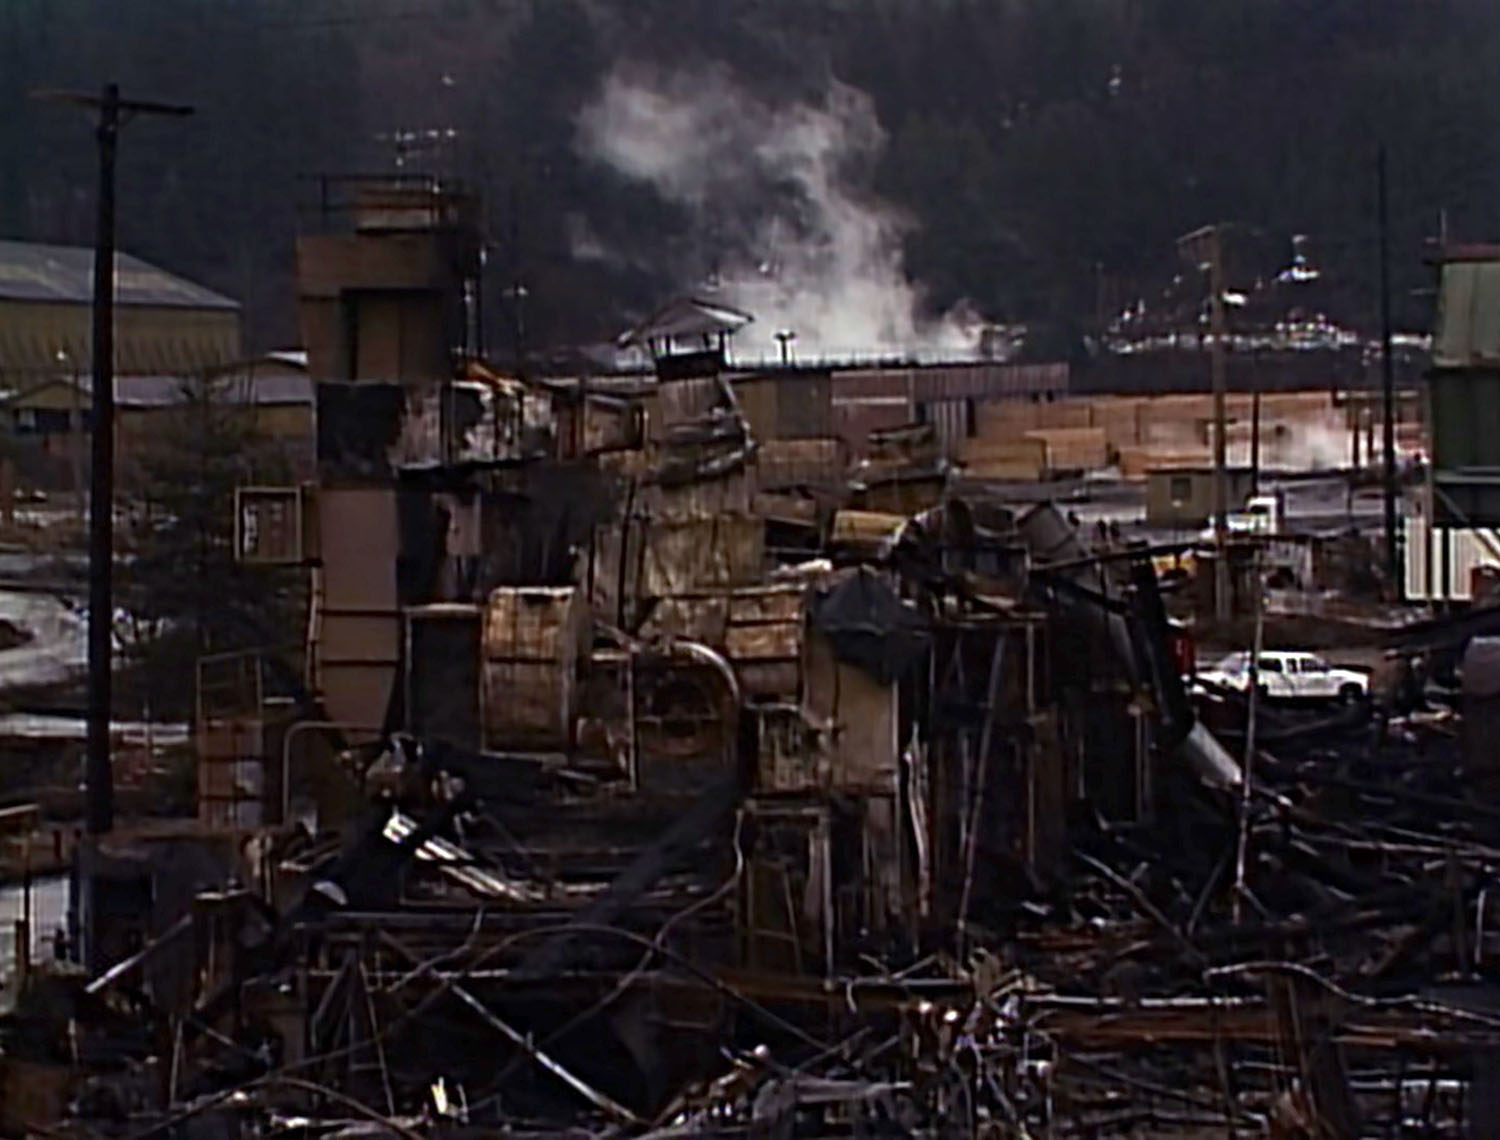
1033	160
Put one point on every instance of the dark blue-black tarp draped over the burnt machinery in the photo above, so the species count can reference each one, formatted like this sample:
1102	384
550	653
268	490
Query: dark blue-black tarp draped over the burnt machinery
871	628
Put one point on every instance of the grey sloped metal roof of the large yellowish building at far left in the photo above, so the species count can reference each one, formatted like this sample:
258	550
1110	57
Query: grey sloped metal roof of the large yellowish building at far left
31	272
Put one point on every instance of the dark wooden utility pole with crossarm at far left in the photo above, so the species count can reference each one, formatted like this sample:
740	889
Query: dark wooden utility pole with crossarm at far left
113	113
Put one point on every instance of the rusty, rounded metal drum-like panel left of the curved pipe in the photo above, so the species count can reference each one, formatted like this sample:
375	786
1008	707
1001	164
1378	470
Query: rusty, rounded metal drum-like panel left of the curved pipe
533	641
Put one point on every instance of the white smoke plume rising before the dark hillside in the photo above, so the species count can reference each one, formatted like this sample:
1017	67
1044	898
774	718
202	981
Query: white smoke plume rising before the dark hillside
773	197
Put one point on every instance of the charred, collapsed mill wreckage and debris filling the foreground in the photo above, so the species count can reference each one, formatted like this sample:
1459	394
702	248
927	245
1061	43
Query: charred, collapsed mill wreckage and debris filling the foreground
637	787
